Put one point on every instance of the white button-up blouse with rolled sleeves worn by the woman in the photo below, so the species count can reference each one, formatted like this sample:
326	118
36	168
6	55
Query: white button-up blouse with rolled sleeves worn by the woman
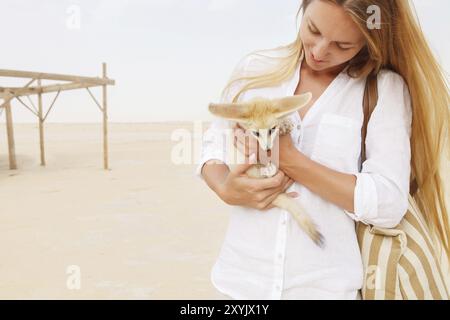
266	255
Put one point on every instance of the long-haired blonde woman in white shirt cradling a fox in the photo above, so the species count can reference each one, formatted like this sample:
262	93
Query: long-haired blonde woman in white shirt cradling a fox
265	255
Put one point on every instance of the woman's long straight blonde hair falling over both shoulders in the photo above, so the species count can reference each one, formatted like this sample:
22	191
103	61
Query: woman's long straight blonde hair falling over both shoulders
399	45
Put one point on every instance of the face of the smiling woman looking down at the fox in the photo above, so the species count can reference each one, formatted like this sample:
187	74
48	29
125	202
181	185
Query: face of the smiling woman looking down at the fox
329	35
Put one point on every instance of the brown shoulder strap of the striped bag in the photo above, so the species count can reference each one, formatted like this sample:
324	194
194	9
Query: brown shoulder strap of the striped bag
369	102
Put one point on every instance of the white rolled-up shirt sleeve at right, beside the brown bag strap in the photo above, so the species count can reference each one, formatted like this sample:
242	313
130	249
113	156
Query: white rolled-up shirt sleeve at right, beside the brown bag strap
382	186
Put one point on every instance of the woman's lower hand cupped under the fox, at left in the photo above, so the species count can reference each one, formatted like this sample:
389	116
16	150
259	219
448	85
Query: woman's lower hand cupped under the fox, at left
239	190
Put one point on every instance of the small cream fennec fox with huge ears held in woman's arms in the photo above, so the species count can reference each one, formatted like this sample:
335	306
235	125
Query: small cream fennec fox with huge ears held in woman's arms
265	119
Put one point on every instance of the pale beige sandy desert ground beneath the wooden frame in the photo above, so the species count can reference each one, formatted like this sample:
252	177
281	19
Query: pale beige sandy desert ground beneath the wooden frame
146	229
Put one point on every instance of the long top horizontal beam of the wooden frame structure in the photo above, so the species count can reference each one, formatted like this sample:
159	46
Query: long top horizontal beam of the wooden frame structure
53	76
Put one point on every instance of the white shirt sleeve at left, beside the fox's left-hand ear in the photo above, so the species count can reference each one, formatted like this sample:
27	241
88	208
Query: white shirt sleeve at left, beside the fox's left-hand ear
214	142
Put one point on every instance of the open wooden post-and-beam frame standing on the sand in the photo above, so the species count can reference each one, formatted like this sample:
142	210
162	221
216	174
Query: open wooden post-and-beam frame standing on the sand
34	87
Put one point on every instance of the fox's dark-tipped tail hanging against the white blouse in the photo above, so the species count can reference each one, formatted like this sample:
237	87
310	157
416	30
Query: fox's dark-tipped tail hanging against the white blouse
283	201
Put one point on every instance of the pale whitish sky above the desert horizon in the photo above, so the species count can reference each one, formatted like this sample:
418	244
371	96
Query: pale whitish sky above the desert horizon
169	58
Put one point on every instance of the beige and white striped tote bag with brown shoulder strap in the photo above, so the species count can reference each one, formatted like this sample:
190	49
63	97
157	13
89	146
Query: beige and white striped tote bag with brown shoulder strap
402	262
